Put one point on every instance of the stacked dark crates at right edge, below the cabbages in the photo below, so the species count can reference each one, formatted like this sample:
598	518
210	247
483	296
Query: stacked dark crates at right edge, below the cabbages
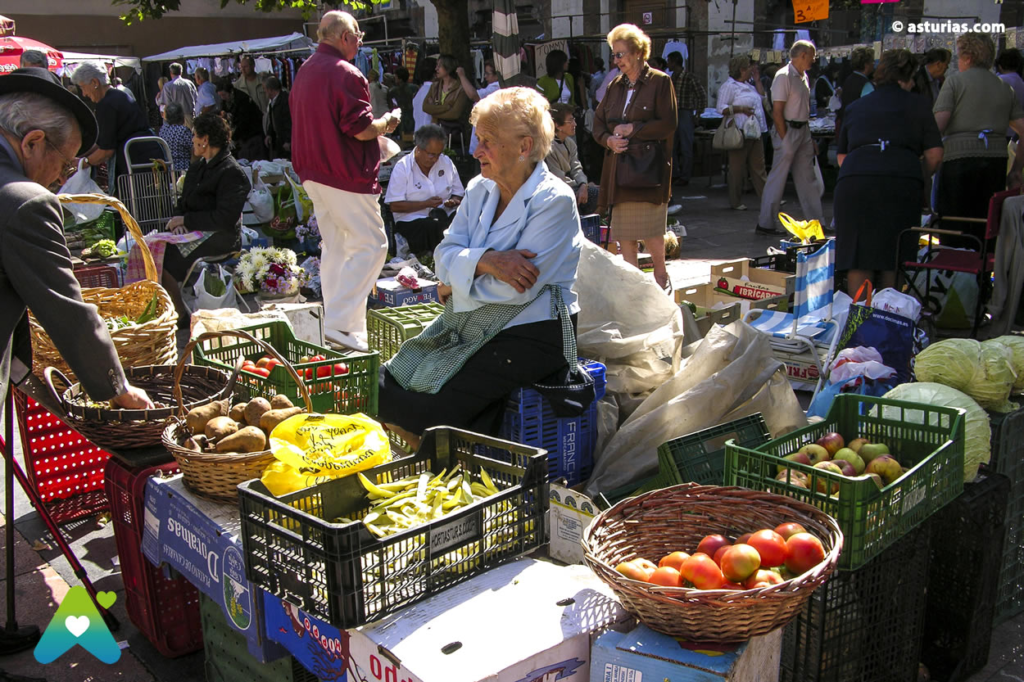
1008	460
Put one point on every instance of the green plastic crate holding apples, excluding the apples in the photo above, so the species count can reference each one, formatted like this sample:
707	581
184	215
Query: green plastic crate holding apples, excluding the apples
928	440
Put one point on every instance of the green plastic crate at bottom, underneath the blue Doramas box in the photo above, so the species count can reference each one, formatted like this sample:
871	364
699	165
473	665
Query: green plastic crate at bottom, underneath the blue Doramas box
228	658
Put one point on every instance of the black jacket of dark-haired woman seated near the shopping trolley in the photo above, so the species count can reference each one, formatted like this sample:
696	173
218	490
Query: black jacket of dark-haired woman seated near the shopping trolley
215	194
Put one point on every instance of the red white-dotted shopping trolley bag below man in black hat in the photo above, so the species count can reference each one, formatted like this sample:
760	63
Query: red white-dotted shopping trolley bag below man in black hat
65	470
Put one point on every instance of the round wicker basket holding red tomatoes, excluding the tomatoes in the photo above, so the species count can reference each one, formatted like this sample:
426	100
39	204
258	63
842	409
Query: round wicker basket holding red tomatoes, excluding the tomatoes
657	524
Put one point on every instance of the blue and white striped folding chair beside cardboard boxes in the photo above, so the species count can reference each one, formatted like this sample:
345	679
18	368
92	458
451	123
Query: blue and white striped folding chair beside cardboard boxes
804	331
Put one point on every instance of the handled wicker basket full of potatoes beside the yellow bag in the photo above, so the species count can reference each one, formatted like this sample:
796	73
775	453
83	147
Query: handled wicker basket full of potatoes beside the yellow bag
221	445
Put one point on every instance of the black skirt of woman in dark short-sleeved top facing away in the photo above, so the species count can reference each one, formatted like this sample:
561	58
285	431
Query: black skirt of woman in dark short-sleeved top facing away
871	212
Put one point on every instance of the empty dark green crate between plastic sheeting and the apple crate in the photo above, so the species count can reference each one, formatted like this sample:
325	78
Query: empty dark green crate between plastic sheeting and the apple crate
700	457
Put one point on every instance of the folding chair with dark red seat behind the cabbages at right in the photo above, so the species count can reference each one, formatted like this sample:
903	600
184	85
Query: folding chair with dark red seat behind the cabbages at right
980	262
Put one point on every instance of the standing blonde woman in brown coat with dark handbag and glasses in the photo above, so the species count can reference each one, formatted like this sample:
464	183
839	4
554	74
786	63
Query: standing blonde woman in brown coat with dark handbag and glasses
637	118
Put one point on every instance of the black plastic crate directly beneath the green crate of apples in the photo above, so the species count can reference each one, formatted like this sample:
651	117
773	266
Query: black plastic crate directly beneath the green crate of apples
865	625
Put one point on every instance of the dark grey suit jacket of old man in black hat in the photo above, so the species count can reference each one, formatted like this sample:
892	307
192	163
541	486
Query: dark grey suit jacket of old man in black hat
36	275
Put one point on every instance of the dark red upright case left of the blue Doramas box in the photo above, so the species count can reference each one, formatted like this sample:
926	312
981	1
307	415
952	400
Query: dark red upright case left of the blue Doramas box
165	611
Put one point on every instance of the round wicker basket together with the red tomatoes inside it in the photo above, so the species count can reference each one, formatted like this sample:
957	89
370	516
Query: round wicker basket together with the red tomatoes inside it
710	564
